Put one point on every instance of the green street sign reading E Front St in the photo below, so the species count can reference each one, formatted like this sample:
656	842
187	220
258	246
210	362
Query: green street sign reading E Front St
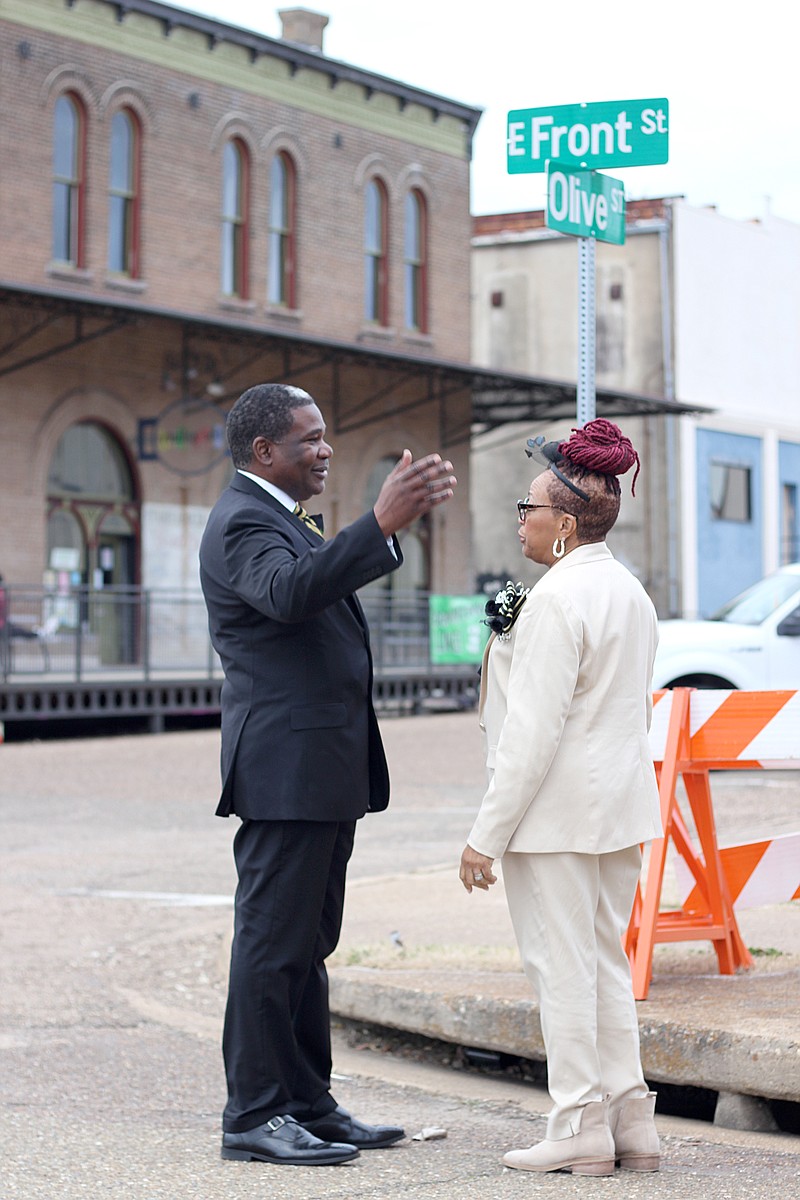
613	134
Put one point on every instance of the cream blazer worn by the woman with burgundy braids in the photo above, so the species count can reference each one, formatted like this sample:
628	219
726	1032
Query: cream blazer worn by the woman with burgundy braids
567	712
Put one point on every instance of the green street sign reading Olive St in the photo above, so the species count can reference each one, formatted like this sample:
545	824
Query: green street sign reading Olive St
586	203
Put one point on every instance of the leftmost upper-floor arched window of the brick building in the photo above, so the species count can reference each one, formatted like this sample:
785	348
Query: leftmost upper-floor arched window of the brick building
69	179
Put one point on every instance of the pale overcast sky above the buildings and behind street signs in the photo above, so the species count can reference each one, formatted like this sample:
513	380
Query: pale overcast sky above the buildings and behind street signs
729	70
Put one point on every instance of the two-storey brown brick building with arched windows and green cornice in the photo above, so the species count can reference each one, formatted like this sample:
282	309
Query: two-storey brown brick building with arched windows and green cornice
187	209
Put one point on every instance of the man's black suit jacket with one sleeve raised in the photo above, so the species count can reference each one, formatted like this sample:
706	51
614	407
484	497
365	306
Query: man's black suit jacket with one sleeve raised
300	739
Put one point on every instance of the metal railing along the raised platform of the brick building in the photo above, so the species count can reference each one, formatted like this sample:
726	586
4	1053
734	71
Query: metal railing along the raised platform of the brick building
151	634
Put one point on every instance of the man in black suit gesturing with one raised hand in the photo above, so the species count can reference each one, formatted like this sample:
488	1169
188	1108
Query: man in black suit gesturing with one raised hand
302	758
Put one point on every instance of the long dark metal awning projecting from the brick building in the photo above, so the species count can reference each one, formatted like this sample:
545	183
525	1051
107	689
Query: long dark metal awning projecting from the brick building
64	321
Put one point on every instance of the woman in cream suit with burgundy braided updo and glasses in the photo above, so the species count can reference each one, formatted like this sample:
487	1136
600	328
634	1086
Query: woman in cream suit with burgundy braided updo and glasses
572	797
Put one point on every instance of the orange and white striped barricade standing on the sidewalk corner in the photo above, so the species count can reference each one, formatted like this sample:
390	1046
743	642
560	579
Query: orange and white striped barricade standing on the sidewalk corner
694	734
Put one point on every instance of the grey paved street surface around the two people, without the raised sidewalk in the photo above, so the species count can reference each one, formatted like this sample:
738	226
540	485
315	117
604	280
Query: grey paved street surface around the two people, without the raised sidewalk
116	889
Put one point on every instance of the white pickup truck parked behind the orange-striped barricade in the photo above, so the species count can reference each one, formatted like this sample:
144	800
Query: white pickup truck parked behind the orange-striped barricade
753	643
